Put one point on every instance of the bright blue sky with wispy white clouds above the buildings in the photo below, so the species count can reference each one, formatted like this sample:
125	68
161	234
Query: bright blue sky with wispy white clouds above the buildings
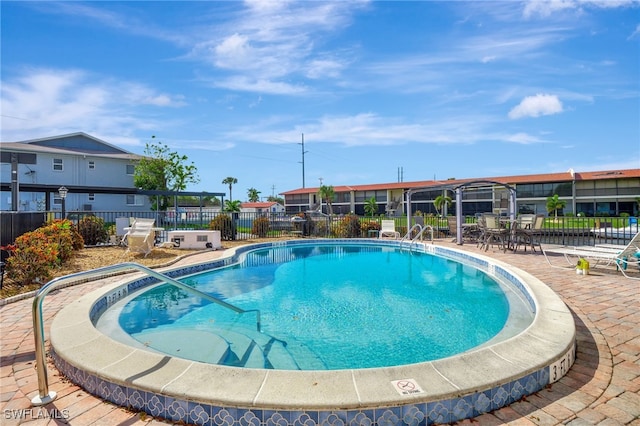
382	91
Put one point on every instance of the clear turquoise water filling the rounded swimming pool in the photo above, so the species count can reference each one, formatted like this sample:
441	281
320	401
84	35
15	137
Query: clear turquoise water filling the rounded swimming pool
323	307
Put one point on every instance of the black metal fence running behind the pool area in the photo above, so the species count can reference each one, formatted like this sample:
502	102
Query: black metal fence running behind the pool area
106	227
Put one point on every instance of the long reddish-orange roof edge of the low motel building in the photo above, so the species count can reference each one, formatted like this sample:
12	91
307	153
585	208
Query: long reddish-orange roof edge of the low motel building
567	176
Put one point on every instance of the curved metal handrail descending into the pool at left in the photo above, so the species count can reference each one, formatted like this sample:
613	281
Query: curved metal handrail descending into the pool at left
44	395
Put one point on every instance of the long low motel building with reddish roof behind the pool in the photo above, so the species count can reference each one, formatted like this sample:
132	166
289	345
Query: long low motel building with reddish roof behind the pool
594	193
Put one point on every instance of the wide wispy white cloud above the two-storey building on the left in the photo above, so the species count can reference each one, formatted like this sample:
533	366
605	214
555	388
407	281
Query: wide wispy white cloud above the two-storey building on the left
42	102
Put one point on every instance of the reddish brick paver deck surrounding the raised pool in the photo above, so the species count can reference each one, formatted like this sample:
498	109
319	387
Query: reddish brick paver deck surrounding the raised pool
602	387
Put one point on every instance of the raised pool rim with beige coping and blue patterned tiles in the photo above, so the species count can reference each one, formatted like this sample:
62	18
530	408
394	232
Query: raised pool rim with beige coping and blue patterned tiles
440	391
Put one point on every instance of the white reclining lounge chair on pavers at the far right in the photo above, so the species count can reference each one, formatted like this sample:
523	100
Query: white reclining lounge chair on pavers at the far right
621	258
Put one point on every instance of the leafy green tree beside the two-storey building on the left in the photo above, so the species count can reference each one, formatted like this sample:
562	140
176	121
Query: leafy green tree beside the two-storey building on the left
163	170
